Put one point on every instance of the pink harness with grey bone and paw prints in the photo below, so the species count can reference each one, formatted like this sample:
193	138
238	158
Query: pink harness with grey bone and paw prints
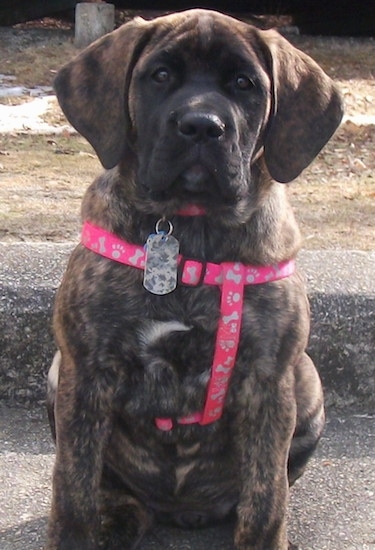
231	276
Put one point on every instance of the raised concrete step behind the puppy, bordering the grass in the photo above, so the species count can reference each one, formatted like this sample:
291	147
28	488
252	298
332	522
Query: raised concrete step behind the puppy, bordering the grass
342	344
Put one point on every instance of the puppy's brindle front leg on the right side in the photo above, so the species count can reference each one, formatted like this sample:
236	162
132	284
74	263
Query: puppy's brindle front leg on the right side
266	430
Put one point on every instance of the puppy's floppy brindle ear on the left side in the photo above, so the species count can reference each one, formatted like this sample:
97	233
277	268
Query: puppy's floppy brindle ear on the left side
92	89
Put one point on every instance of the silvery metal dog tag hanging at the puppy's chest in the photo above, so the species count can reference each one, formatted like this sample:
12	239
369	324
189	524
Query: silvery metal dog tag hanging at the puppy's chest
160	273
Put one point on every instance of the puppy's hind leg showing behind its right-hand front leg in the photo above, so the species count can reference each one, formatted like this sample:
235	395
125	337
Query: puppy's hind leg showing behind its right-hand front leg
310	417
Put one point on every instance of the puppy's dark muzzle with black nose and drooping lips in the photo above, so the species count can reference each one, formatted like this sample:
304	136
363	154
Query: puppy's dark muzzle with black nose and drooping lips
197	138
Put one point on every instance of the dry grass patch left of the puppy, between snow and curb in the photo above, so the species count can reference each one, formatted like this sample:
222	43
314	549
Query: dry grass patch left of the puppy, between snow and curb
42	183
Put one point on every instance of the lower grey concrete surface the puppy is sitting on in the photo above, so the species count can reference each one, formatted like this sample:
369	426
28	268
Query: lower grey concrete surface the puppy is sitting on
331	508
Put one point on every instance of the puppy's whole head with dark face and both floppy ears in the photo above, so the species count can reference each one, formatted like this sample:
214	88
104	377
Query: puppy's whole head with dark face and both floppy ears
192	100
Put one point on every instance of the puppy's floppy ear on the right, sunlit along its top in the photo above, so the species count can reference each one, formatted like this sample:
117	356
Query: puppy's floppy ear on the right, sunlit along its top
307	109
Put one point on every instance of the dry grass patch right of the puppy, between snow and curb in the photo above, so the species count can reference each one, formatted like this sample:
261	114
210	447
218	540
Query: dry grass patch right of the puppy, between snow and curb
335	197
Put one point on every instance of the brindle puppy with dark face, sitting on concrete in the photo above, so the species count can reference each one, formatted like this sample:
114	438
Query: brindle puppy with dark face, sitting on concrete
192	108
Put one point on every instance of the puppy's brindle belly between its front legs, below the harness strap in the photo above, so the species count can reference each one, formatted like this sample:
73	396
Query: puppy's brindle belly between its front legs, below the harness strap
188	468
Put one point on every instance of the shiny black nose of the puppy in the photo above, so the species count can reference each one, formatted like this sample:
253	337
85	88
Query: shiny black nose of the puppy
201	126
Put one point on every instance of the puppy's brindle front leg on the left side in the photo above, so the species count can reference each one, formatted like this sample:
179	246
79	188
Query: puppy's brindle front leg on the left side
82	412
